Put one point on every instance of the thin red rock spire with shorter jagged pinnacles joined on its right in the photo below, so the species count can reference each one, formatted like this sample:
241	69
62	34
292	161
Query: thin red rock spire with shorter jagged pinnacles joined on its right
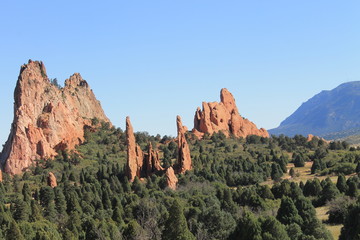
139	164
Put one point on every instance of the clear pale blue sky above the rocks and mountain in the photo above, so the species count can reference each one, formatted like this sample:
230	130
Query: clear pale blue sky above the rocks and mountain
153	60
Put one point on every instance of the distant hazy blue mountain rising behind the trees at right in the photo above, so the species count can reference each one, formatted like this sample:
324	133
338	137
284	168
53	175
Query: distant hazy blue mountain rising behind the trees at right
329	113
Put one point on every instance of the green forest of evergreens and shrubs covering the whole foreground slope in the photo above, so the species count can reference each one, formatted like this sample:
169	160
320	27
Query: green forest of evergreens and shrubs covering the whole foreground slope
238	189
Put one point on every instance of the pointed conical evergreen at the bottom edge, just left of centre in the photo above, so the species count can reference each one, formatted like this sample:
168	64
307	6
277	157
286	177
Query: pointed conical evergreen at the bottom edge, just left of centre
176	227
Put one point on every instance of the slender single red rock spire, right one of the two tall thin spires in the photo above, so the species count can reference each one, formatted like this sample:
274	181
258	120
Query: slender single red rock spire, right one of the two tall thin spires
184	158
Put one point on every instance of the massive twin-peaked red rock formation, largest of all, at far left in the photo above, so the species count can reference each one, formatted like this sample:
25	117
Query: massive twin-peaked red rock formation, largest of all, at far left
47	118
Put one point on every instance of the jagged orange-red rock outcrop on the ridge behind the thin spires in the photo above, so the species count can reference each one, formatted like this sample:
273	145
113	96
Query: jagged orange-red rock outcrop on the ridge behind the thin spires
225	117
